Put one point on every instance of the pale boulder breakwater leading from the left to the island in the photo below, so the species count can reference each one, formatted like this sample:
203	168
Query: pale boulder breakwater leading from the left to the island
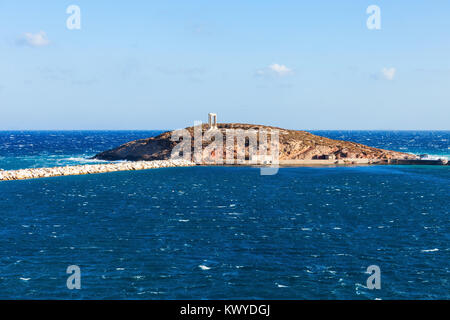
33	173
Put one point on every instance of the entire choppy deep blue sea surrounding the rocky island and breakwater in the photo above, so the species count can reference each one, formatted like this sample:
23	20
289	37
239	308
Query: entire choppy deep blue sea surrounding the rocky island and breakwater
224	232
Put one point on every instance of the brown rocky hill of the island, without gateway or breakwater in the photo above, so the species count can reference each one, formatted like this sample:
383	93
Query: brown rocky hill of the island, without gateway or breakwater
293	145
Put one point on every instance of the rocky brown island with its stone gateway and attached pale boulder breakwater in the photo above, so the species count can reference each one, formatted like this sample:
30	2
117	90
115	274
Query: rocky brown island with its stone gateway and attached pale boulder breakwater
292	148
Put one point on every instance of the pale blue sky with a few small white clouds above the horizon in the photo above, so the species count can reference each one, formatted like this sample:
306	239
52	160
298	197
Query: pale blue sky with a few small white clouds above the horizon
147	65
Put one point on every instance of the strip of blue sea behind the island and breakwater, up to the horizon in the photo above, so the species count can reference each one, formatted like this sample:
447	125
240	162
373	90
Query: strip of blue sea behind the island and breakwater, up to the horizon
34	149
